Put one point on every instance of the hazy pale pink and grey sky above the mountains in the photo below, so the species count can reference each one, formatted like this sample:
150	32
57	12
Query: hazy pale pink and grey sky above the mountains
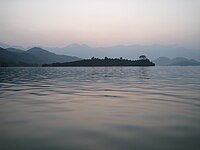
100	22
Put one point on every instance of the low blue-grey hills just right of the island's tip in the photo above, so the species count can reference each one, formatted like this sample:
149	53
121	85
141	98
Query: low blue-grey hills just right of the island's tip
178	61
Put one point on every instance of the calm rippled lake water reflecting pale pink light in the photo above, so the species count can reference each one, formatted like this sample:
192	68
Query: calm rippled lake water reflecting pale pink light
100	108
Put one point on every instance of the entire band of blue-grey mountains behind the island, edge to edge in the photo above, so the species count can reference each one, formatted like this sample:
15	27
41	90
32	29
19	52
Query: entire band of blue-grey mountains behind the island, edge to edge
37	56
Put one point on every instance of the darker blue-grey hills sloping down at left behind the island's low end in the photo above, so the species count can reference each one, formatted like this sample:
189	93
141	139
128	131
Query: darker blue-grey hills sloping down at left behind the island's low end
33	57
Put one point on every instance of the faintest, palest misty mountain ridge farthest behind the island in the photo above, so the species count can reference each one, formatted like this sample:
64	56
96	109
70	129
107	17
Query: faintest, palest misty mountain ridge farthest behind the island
128	51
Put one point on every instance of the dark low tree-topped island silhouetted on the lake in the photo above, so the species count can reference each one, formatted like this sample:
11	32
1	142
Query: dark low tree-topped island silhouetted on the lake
97	62
